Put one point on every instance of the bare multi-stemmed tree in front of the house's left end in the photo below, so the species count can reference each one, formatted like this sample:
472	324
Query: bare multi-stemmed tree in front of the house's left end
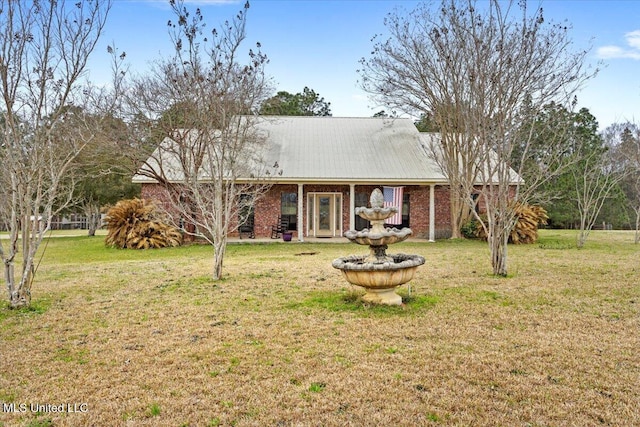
204	100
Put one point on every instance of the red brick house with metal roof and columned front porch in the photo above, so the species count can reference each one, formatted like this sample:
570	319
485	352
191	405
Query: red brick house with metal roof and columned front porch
330	165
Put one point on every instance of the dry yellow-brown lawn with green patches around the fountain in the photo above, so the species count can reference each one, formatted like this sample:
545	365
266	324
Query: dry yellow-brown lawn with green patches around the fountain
136	338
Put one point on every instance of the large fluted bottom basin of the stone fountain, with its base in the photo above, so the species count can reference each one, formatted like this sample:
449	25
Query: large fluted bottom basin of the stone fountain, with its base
379	279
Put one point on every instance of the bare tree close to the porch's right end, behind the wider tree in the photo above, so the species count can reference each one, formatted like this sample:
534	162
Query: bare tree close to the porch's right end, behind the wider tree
412	72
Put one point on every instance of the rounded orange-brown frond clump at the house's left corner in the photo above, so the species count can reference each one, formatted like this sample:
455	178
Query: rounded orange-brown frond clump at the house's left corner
137	224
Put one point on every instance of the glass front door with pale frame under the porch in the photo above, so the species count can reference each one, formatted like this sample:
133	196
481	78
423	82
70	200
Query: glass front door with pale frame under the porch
324	213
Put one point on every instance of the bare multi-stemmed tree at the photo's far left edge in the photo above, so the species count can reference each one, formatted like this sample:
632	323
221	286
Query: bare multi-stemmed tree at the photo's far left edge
44	48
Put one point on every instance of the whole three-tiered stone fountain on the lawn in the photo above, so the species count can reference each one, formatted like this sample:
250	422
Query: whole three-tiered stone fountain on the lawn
380	274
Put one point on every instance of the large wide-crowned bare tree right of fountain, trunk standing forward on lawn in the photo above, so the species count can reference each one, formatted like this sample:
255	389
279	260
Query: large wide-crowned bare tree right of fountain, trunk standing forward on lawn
484	70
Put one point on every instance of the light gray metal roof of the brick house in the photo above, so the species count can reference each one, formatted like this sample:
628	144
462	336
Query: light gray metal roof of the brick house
336	149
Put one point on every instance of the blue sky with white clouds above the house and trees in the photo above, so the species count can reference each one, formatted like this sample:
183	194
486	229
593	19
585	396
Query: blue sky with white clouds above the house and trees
318	43
